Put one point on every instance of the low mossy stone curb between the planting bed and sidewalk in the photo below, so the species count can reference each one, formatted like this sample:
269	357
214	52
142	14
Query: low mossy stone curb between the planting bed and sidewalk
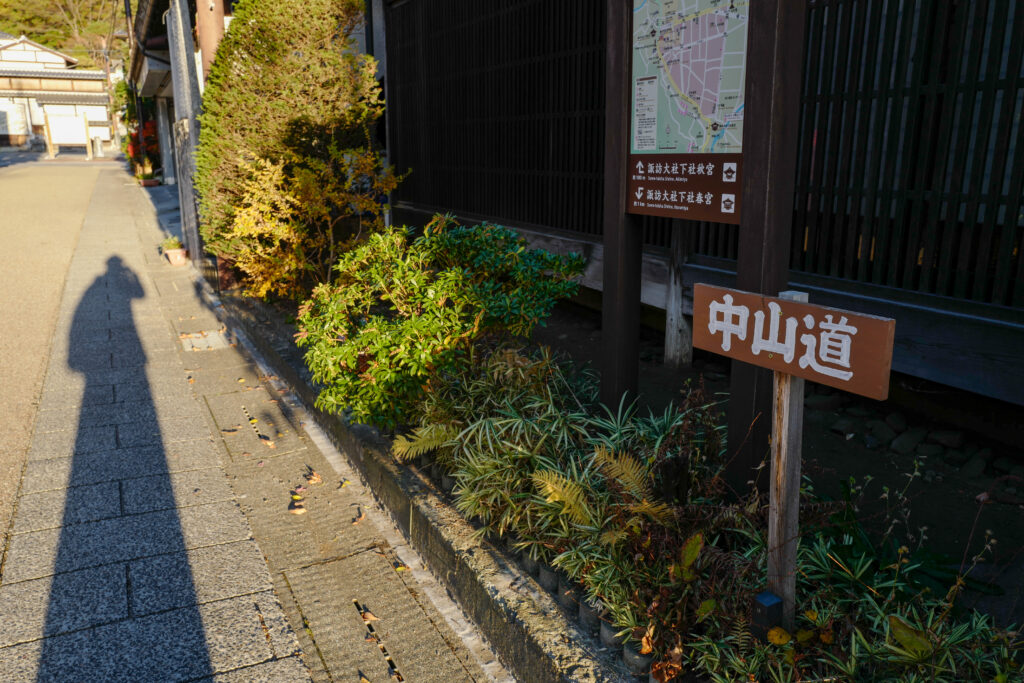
530	633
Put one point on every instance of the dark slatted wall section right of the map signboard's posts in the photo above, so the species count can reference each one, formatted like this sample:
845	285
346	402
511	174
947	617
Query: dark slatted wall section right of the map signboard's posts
910	173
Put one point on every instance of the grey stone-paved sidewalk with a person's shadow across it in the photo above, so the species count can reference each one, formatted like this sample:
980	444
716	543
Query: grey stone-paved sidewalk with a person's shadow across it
152	539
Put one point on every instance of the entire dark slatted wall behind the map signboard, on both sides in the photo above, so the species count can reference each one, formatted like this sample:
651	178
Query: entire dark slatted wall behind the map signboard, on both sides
911	165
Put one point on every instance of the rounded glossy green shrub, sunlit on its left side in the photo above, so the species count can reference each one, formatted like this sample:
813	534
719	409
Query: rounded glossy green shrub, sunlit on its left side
403	312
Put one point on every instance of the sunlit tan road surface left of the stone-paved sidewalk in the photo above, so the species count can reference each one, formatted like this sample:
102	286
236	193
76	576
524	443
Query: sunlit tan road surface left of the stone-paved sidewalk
42	205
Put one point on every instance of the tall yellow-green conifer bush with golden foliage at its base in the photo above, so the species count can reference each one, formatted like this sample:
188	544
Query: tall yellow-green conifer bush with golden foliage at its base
287	170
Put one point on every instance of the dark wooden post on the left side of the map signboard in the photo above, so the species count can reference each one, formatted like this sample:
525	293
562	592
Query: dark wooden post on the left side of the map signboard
623	239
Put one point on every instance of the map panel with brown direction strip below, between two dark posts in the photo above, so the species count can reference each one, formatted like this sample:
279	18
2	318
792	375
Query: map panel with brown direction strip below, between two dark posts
690	67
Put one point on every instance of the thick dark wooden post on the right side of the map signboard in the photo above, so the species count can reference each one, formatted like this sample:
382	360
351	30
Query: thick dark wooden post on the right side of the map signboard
775	78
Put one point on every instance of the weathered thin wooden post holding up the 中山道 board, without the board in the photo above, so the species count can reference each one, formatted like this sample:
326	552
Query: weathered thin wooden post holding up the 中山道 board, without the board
784	516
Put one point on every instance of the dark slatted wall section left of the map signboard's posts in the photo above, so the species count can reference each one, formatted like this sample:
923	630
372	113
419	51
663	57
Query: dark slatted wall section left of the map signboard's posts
498	109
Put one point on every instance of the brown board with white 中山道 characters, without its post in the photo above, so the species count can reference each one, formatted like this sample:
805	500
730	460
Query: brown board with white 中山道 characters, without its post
839	349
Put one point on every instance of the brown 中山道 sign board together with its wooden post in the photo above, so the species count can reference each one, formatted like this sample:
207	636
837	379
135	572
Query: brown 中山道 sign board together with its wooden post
798	341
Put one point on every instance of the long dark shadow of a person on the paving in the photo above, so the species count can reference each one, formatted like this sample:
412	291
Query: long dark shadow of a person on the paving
122	591
